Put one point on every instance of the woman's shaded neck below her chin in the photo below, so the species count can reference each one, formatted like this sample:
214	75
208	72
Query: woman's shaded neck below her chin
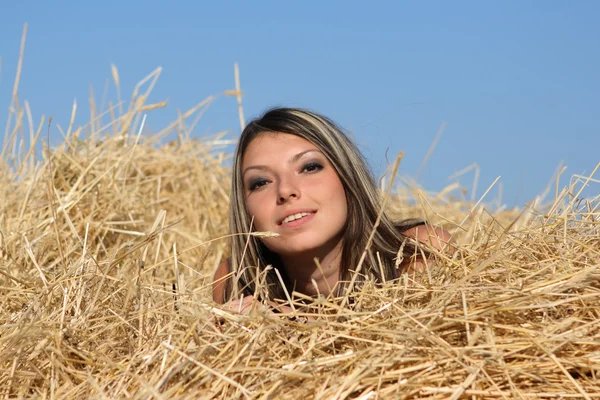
311	278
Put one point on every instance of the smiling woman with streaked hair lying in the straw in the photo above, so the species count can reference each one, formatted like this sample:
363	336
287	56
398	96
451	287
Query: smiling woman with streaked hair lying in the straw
297	175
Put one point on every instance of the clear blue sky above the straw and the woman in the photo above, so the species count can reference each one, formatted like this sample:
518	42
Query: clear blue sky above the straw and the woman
517	82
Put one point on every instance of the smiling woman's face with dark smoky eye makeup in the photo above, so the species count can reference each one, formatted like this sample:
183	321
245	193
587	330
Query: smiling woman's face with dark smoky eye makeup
290	188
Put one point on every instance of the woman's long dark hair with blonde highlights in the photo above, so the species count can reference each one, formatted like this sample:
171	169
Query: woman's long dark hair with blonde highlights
250	258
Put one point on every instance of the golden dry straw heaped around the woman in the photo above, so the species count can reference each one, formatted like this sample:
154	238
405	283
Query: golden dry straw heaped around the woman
108	242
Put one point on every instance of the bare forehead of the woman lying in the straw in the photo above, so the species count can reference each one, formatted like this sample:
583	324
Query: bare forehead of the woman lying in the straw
275	146
